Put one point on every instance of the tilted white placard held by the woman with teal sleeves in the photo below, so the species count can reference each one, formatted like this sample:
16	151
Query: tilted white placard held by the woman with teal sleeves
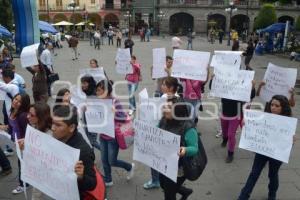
156	148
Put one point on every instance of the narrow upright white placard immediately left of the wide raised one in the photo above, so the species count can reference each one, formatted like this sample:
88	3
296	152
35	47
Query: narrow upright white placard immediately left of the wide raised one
159	63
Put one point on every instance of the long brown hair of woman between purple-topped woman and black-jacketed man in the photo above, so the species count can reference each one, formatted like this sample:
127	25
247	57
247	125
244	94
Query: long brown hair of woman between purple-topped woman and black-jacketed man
43	115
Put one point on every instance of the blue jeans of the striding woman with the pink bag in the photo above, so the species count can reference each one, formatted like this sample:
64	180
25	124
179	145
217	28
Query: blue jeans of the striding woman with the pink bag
109	157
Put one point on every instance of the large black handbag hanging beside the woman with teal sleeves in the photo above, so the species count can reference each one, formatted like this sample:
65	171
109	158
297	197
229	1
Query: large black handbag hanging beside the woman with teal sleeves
193	166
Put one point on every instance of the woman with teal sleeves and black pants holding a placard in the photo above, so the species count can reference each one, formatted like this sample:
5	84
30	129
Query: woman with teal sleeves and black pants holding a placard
174	120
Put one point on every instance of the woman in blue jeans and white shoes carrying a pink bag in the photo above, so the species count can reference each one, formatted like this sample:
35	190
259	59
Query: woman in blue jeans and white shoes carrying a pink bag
109	146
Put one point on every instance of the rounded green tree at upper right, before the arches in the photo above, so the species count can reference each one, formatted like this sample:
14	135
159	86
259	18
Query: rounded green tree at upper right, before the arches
266	16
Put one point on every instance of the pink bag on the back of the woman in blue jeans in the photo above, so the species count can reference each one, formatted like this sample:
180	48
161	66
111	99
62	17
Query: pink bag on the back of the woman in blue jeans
124	133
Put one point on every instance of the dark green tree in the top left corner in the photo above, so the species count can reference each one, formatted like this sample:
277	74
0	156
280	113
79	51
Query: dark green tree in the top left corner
6	14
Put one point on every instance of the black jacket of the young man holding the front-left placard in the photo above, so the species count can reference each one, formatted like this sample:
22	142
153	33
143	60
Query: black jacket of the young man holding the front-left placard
87	156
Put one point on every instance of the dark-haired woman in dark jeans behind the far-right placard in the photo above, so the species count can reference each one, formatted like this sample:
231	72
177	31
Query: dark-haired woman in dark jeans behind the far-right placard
278	105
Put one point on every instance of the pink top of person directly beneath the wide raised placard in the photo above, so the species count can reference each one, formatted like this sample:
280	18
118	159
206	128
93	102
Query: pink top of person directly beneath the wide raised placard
192	89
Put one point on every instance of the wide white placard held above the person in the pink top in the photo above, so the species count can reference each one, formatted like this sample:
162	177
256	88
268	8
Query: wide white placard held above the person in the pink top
190	64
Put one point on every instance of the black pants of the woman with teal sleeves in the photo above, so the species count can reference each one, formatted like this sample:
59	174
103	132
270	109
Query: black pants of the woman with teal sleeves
171	188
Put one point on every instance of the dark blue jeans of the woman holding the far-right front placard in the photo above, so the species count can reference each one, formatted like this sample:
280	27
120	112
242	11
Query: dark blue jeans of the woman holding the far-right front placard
258	165
